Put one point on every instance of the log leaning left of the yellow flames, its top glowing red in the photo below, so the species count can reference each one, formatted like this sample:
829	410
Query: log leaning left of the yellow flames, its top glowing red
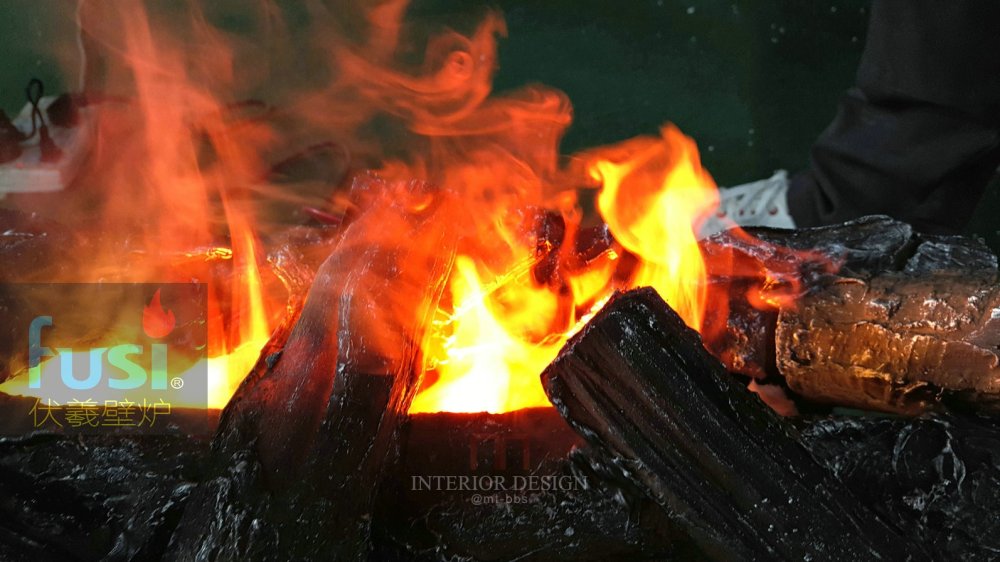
304	444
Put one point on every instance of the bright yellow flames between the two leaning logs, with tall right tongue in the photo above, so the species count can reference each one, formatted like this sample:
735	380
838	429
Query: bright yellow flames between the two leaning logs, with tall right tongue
489	350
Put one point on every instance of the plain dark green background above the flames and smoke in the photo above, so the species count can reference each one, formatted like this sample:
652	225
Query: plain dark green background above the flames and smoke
753	82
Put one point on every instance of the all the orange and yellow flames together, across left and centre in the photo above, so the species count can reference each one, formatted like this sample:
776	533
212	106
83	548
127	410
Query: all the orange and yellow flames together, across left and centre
179	196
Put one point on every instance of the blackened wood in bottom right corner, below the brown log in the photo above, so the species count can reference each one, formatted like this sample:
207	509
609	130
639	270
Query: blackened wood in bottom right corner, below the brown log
936	476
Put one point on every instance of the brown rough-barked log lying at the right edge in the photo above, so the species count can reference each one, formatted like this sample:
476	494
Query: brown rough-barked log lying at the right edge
895	343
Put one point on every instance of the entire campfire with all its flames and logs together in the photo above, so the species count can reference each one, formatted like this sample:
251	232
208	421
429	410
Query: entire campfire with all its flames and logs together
432	336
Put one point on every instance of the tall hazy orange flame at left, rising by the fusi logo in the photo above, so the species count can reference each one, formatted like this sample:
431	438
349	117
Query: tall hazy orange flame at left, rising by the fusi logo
164	195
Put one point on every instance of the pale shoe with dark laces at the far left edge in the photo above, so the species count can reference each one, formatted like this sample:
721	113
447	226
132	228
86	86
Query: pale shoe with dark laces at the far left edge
46	165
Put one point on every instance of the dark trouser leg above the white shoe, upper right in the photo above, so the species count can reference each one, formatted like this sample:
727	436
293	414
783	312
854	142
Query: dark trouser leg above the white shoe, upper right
919	138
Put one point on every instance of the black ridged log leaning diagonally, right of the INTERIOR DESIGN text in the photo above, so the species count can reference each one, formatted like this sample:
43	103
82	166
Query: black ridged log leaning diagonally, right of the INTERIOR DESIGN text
637	384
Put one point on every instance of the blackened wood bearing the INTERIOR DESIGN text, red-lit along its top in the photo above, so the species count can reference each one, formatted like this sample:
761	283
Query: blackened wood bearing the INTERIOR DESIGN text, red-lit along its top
541	504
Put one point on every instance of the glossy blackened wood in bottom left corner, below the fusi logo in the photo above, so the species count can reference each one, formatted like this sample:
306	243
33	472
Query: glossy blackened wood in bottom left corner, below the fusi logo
94	497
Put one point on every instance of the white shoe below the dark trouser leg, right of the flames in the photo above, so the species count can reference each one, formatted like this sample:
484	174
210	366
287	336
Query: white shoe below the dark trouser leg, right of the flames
761	203
